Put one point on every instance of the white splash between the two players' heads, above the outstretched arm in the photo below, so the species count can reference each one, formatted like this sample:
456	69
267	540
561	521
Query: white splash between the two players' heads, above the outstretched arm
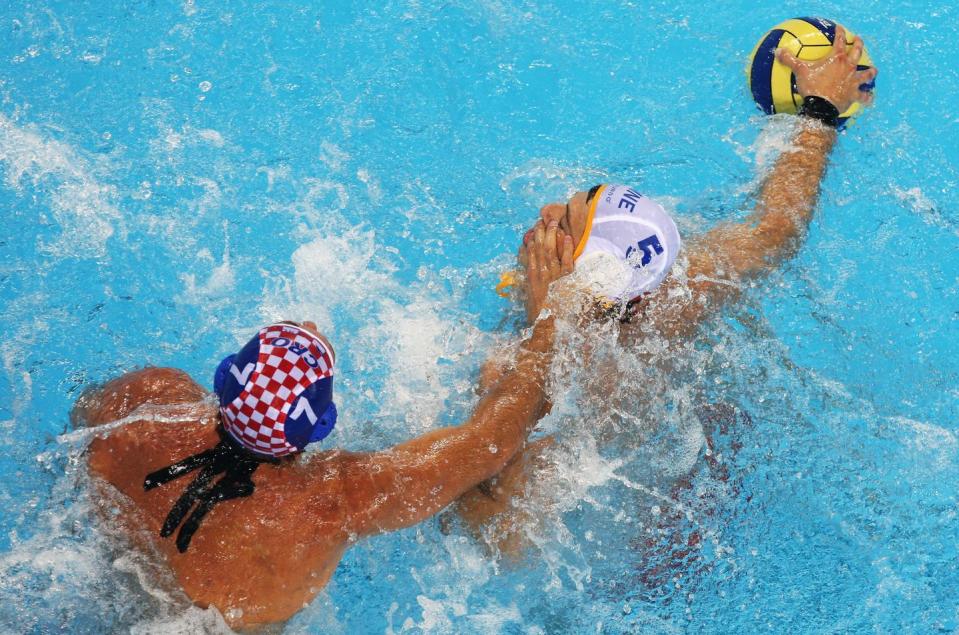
407	355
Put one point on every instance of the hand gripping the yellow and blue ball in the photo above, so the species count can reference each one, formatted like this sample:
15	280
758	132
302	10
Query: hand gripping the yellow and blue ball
834	77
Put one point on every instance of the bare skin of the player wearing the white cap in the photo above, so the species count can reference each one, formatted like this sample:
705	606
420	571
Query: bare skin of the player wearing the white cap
719	262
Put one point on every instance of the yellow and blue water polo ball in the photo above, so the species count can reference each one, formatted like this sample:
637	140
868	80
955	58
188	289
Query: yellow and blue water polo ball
773	84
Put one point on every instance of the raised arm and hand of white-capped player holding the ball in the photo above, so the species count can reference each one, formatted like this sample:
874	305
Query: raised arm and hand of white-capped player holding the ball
733	253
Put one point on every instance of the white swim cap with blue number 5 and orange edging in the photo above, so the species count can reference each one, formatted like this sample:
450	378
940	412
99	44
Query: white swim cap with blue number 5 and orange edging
638	232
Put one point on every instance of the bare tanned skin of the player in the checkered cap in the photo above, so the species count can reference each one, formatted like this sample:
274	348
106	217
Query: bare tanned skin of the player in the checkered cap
261	559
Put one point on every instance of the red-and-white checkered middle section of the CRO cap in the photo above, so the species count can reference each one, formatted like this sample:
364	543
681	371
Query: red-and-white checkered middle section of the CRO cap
290	359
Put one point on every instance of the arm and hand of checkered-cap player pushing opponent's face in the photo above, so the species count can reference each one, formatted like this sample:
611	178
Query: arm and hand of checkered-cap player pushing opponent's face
414	480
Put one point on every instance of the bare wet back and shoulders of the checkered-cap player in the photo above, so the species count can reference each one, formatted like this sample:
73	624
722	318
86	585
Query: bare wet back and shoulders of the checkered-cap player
265	555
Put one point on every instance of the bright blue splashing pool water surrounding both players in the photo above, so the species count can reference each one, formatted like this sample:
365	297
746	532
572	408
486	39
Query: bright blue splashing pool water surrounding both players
174	174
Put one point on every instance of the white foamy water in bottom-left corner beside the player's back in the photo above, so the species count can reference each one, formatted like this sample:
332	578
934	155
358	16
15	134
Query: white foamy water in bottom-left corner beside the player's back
81	572
